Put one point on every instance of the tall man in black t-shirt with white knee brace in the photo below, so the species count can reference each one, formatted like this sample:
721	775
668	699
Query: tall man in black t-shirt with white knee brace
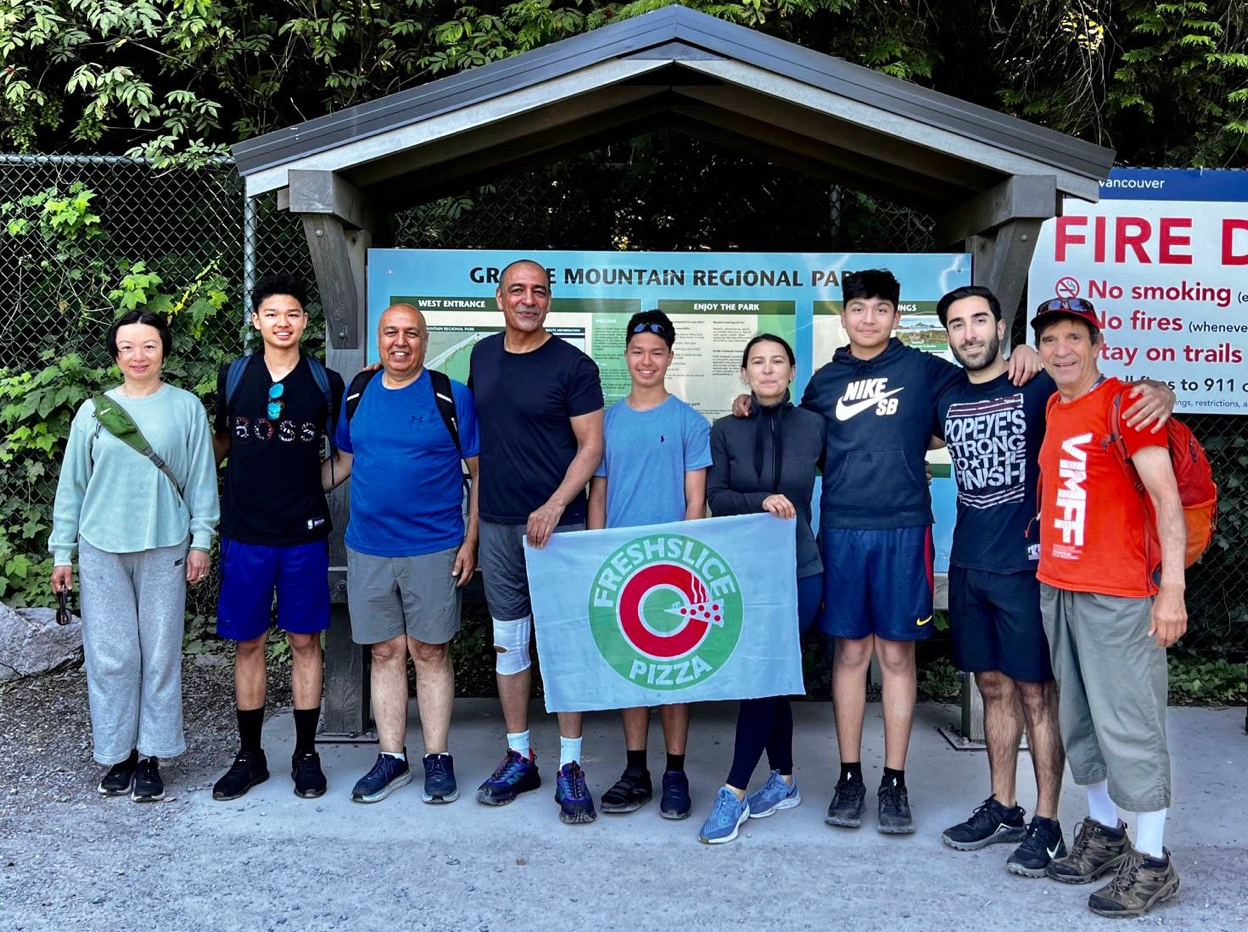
541	407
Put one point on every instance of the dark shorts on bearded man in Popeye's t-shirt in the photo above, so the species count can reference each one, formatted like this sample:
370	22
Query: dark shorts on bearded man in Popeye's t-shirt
997	624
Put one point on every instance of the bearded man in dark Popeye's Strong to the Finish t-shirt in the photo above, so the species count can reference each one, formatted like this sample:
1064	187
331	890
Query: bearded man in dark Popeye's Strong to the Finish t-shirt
994	431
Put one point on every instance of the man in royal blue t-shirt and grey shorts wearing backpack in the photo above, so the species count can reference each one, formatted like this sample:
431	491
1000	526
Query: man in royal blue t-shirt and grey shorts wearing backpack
410	550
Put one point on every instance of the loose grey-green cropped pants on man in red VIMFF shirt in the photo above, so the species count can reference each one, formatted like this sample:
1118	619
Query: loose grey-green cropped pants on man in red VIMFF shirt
1113	692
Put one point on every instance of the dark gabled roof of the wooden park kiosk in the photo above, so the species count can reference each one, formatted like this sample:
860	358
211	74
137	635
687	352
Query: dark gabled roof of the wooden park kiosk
676	68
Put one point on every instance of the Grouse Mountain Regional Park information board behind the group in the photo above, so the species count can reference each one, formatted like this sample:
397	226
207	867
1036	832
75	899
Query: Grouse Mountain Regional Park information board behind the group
717	303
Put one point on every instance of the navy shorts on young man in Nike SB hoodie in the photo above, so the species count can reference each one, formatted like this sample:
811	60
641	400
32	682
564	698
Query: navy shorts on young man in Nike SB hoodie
878	582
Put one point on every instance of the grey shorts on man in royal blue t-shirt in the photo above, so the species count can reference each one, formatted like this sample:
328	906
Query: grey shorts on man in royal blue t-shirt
394	596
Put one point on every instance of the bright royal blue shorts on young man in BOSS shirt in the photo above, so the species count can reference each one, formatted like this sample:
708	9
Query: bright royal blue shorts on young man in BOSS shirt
250	576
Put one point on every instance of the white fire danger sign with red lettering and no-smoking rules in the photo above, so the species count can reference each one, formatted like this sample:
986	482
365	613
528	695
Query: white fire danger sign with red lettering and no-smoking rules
1164	258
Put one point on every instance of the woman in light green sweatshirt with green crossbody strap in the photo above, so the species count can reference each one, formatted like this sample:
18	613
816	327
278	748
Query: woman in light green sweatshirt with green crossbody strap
143	533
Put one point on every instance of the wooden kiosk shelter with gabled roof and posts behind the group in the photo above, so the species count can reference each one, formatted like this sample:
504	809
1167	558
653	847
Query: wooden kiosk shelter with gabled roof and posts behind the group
992	180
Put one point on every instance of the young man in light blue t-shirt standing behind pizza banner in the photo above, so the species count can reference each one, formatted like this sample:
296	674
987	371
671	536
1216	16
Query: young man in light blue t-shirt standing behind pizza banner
653	472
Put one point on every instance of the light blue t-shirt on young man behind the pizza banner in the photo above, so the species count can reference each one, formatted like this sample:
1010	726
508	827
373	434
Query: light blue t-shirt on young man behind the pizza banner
646	457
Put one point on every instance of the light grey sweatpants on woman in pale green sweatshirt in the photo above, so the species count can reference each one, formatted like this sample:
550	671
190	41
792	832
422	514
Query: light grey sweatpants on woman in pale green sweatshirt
133	618
